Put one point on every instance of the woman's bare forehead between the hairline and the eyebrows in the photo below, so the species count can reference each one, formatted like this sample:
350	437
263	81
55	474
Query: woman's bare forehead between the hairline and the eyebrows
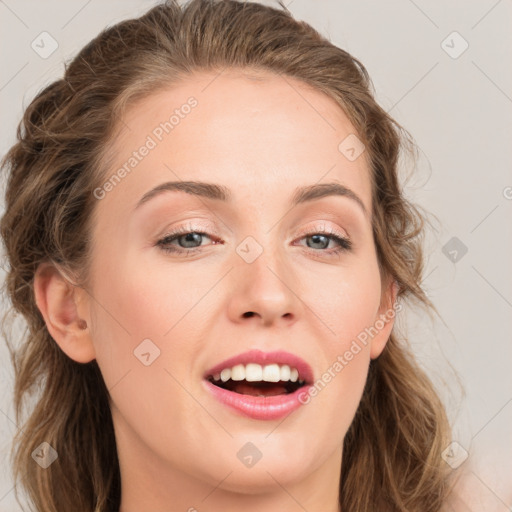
246	130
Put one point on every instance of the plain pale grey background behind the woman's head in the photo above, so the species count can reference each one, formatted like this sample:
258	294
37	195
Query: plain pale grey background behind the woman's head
458	108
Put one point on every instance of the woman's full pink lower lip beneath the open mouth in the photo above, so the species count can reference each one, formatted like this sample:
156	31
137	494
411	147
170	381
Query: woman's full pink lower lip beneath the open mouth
258	407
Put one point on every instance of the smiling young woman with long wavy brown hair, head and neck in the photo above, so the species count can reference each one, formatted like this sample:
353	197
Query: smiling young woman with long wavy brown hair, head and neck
209	243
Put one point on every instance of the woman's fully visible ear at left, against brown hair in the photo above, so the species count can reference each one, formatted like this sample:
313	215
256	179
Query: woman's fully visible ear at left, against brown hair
65	312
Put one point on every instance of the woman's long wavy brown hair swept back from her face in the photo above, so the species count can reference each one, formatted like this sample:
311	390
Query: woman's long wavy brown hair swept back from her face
392	451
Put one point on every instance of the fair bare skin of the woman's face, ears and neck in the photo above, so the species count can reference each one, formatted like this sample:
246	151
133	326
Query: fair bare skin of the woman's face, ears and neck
262	136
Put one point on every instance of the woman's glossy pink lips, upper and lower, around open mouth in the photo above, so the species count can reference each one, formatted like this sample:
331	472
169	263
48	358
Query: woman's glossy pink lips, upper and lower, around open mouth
256	407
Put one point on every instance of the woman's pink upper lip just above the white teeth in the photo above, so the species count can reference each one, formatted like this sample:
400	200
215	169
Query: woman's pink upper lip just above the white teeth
264	358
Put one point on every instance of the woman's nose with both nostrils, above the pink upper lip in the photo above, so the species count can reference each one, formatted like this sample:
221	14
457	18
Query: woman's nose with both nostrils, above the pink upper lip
264	292
